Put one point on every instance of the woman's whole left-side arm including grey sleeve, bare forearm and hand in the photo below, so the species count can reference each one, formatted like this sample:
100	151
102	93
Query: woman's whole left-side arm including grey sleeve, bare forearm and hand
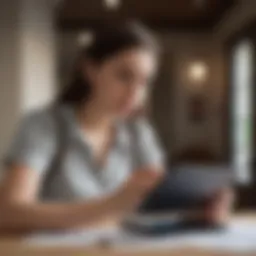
29	157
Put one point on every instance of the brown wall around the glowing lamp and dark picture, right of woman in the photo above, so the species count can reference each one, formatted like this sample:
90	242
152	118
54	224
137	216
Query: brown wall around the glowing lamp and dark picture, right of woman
185	49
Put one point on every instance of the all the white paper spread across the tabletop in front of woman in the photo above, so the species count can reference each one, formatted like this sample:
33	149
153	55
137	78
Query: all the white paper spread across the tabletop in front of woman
240	236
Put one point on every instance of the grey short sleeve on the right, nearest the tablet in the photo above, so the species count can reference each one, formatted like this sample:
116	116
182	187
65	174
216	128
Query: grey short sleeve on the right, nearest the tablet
146	146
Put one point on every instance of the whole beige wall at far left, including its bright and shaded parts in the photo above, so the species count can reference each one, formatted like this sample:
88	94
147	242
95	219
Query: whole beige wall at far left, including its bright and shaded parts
27	67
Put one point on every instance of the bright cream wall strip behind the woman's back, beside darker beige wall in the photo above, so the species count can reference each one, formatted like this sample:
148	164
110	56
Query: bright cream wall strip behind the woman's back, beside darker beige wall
37	54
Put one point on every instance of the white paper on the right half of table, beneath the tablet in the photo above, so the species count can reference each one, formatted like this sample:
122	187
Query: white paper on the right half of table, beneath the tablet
238	237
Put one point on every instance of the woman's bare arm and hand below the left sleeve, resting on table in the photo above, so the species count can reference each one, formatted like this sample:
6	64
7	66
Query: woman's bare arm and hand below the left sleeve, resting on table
20	210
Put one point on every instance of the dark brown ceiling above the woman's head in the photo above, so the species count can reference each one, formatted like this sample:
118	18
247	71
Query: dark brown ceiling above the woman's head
159	14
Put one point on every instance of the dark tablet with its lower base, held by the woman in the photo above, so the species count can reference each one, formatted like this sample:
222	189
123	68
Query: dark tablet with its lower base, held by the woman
182	193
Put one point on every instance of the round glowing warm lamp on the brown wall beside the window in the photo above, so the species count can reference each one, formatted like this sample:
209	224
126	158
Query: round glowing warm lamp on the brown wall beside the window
198	72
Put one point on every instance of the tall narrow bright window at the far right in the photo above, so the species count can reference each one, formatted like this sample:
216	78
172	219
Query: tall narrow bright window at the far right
242	110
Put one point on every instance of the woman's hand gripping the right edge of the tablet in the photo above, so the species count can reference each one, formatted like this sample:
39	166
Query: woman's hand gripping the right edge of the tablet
218	209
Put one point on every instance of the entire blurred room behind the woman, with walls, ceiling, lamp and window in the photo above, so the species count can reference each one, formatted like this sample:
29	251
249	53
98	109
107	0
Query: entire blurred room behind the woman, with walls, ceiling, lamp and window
202	104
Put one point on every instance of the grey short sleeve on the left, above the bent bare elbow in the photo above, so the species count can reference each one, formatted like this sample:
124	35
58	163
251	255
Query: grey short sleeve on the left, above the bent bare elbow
34	142
